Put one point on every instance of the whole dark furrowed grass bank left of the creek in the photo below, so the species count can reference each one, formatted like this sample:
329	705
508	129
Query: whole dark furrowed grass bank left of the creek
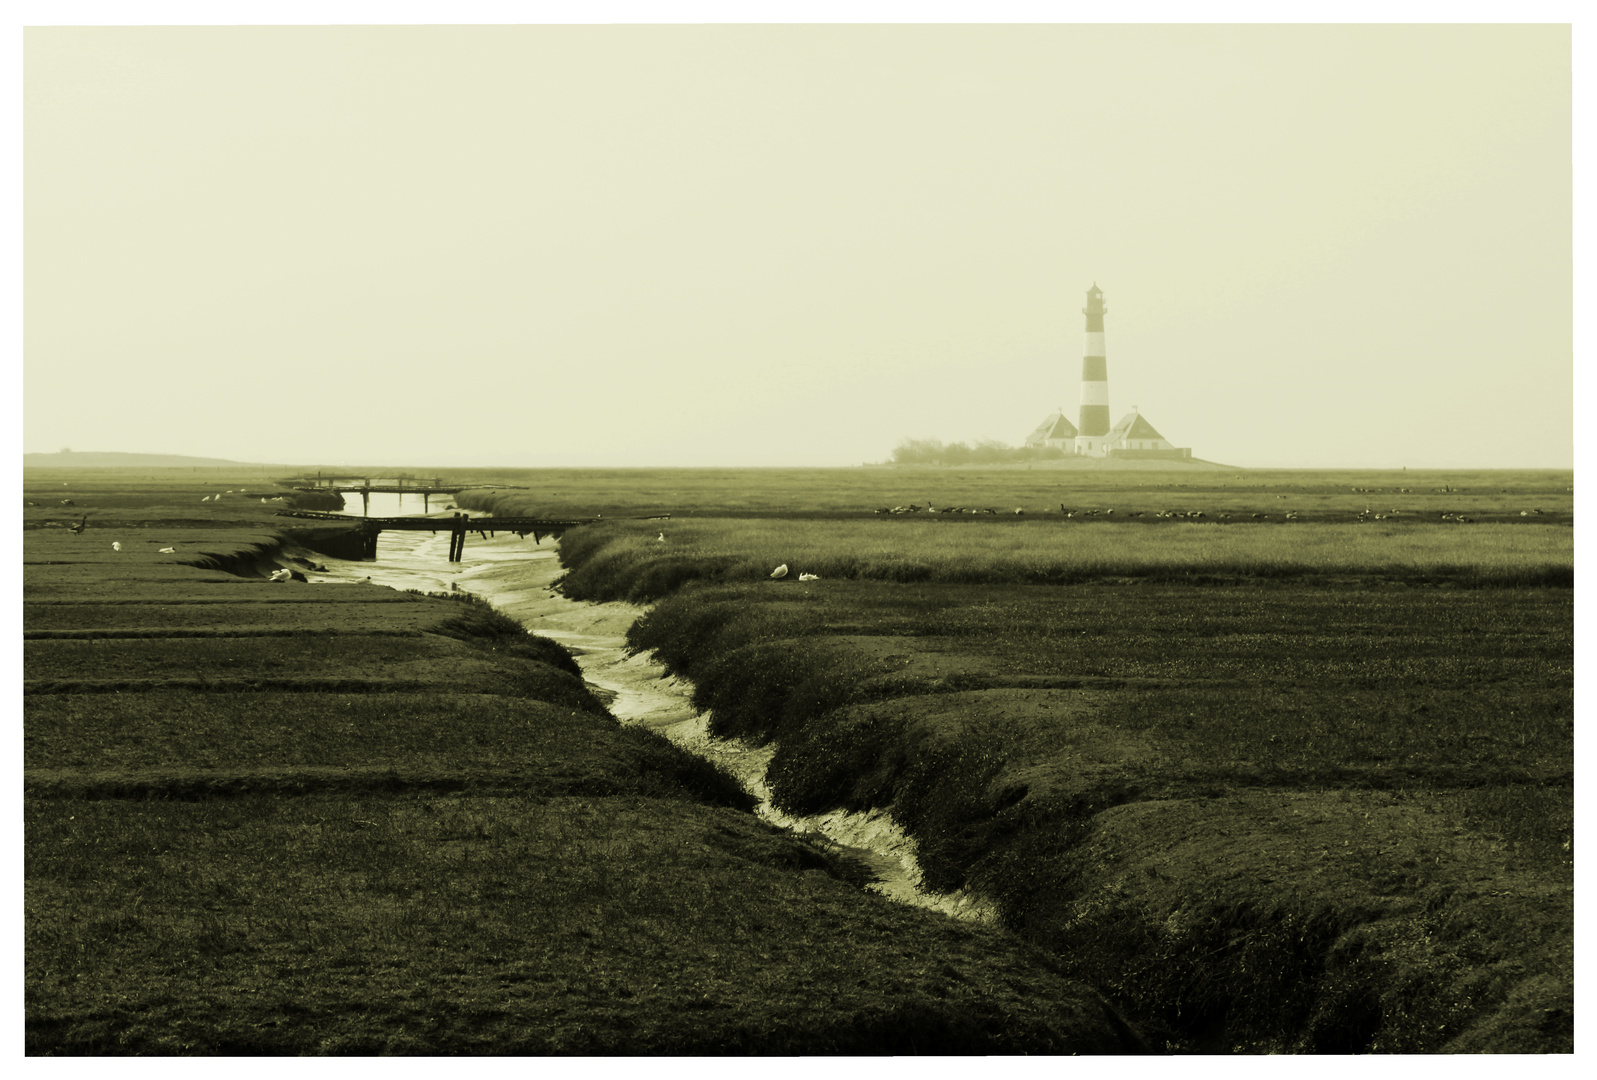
231	848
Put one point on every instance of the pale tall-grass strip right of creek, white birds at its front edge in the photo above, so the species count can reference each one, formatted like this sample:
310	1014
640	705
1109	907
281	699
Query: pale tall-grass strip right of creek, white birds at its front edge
628	560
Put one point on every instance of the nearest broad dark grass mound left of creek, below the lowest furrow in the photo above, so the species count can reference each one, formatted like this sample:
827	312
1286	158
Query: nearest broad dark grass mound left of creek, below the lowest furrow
426	924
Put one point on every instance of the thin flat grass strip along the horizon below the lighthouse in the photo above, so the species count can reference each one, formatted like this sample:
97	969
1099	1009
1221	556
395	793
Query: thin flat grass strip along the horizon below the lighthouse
149	498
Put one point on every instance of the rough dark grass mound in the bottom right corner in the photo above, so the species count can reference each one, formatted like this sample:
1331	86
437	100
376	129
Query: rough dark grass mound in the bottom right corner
1224	932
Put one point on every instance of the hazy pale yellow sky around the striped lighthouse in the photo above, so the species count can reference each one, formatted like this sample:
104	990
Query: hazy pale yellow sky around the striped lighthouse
796	245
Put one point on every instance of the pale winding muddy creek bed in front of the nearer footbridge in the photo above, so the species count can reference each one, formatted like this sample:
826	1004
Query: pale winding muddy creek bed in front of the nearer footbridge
515	576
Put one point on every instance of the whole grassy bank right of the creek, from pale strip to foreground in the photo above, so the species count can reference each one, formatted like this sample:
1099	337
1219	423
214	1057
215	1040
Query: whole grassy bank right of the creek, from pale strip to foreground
1282	817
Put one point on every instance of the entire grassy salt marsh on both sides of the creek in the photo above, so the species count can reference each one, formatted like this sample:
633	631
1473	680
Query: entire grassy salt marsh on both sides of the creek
1269	785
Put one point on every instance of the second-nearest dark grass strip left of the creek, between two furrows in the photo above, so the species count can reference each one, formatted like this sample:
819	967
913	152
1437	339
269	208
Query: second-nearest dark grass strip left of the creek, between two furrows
186	745
